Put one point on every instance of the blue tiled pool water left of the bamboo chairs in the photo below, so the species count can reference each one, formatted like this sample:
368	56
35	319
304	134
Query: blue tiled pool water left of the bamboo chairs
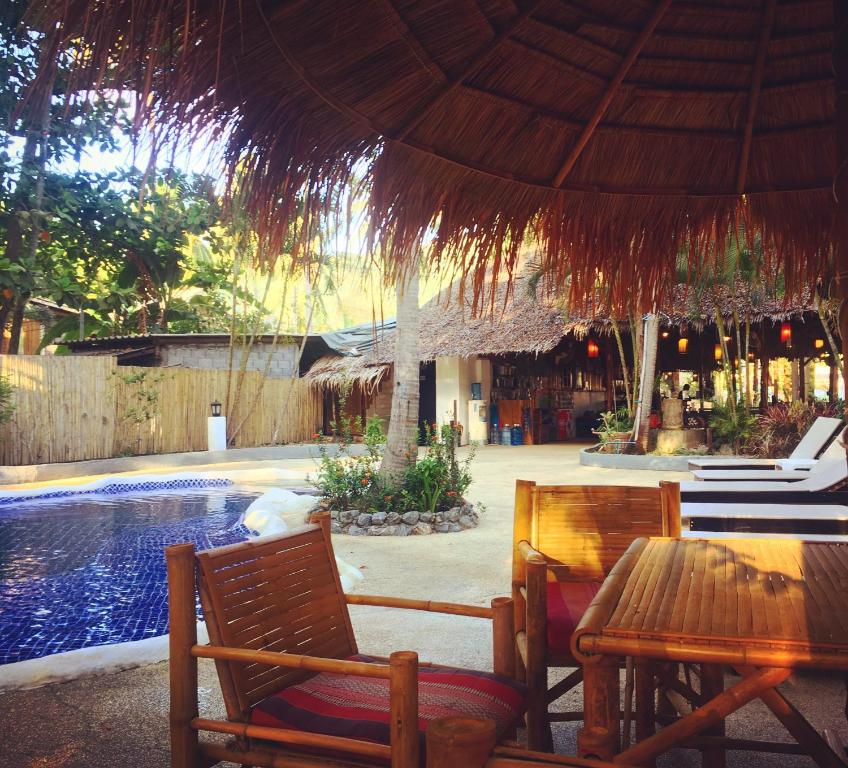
89	570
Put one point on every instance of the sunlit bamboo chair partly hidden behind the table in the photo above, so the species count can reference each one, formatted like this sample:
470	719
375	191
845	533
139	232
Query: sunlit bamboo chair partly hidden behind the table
566	539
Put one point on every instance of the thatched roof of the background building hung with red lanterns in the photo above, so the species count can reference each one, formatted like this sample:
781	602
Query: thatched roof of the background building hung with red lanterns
530	319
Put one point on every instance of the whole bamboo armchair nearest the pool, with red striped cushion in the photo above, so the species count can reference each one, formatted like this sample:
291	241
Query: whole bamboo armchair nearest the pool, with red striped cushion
288	662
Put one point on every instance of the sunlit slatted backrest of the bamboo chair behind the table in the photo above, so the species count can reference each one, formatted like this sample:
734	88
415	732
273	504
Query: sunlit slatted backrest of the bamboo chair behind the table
583	530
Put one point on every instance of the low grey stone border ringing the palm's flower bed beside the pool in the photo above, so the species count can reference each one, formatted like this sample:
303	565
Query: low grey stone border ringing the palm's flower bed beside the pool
352	522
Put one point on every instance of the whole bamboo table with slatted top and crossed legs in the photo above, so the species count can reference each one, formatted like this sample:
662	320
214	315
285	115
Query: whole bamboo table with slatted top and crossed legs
762	606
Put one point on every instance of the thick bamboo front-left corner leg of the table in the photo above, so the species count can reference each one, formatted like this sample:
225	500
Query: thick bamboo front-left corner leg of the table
599	737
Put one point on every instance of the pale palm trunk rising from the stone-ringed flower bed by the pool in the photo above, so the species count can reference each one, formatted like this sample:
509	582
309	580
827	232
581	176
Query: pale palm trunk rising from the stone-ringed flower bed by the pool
402	439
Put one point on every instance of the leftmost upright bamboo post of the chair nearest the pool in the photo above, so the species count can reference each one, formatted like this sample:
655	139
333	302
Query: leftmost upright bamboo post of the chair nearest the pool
183	666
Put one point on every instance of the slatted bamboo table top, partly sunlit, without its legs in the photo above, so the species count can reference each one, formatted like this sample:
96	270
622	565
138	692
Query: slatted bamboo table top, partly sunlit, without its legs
739	600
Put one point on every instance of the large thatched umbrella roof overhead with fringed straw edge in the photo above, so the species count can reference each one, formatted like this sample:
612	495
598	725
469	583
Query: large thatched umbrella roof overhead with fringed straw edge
618	131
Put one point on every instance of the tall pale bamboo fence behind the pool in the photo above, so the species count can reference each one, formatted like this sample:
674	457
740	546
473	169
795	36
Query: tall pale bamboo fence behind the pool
78	408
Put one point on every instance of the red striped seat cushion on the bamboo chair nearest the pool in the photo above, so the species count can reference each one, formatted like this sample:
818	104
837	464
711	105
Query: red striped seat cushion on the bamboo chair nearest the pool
358	707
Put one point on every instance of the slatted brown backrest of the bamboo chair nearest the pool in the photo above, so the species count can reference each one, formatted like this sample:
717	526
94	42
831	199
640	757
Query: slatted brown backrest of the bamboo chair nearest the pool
273	594
